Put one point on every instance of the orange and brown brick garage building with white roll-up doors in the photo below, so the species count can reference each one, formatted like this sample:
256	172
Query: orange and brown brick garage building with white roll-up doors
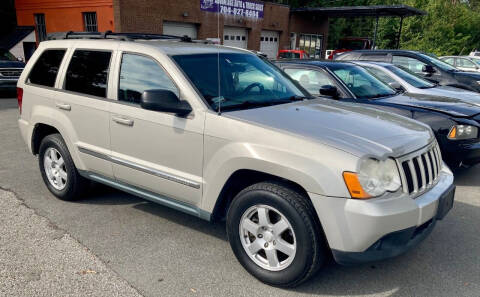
252	24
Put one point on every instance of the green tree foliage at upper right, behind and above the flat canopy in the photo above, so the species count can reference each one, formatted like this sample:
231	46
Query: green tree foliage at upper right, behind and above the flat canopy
451	27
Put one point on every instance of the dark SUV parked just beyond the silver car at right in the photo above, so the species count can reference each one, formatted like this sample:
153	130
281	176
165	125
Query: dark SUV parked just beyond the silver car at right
426	65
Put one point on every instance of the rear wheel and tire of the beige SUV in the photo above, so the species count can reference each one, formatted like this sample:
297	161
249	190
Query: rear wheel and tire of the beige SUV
71	185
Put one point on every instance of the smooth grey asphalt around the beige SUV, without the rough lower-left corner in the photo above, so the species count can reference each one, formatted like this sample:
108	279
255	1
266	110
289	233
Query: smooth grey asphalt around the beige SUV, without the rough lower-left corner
162	252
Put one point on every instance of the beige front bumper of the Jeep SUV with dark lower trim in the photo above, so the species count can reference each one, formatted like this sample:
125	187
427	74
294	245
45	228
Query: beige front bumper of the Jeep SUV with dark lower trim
368	230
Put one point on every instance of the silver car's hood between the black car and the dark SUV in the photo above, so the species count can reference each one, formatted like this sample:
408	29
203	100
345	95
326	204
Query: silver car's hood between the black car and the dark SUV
456	105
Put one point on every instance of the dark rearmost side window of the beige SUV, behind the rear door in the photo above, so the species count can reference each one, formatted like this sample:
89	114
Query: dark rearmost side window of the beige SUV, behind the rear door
45	70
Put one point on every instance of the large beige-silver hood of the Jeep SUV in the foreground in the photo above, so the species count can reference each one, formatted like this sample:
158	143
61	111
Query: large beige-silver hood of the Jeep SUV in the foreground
347	126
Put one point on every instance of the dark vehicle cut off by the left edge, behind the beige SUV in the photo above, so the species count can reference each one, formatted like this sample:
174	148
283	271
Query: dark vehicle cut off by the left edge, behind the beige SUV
10	70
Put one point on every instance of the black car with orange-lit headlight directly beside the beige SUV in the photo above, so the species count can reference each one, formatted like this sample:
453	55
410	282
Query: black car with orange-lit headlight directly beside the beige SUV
455	121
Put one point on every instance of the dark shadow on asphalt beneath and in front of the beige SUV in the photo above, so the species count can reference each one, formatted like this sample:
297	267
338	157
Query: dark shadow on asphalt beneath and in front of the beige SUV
449	256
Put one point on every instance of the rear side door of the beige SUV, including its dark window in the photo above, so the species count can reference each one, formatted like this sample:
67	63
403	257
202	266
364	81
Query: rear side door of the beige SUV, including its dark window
84	103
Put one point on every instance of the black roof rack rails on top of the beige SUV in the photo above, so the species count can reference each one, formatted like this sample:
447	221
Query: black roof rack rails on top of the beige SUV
117	36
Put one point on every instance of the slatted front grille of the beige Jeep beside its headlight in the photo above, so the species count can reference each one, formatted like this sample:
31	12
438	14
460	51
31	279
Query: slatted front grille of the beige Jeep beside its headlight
420	170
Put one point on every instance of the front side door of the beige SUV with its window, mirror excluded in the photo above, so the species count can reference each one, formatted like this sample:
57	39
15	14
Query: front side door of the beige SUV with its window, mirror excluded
156	151
